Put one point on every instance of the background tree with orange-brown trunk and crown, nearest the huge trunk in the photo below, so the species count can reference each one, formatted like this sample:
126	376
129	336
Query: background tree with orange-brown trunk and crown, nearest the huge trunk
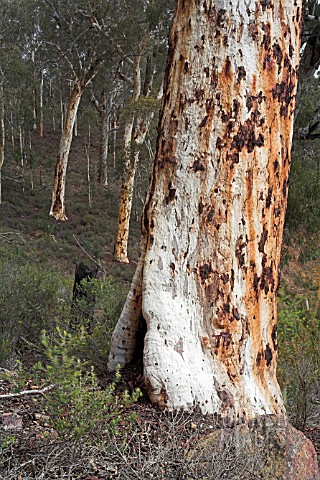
138	67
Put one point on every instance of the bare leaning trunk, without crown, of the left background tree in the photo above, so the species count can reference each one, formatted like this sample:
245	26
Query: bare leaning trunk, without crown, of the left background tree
58	205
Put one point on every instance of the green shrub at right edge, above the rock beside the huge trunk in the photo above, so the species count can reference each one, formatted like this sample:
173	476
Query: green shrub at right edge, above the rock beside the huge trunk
299	358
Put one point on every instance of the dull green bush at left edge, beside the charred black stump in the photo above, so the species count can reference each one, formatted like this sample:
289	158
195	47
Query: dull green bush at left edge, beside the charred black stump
32	298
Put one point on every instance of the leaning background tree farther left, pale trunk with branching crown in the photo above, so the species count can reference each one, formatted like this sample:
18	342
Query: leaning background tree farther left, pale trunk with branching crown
75	32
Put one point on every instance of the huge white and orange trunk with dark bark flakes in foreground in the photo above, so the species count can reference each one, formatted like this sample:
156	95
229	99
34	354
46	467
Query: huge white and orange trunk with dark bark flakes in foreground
207	280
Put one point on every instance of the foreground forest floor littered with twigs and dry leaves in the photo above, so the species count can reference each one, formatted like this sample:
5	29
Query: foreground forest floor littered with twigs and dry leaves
34	447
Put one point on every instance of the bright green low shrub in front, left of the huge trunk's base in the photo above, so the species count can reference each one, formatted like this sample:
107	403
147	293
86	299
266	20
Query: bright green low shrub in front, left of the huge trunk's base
76	405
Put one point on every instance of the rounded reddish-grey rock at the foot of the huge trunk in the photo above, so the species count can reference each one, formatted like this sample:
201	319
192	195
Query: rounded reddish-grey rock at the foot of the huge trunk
267	448
